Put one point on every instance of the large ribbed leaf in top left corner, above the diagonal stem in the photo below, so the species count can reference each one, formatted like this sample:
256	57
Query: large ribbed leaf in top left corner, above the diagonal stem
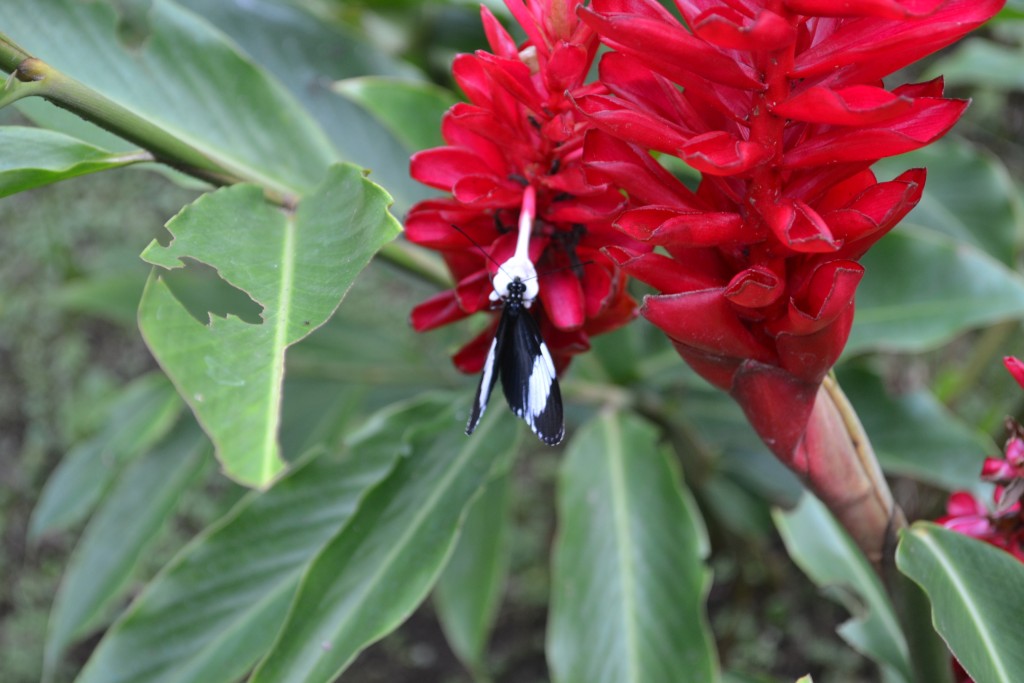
187	80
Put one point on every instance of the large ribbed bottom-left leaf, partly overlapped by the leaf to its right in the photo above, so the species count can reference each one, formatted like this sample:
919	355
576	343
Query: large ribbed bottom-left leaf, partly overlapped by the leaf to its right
216	610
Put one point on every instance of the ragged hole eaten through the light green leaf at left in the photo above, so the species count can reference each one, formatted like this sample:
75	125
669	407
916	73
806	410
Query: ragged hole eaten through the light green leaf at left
203	292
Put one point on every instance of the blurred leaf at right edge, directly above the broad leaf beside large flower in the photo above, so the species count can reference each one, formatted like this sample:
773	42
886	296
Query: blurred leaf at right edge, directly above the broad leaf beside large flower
969	197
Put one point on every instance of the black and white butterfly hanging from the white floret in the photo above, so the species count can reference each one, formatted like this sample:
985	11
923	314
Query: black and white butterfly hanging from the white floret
520	356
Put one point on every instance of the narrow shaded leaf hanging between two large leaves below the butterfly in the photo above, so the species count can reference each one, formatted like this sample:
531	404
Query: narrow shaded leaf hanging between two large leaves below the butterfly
471	588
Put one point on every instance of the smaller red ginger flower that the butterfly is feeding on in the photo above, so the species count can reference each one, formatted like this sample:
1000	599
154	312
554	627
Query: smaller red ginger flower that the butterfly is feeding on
521	130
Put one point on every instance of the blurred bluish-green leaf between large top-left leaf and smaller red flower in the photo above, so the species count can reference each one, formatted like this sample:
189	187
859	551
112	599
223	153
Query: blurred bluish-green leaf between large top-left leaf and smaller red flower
318	54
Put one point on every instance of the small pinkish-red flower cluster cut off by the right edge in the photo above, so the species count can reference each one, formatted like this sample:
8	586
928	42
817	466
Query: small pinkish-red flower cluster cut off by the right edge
1003	526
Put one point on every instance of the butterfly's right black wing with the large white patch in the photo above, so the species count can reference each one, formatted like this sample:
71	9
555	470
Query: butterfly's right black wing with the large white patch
529	376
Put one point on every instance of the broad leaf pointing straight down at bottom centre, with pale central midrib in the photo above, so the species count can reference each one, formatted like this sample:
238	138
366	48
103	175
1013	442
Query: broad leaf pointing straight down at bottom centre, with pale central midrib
629	579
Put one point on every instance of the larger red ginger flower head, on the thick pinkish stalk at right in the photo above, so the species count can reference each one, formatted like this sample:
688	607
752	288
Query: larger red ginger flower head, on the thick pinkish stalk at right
783	111
